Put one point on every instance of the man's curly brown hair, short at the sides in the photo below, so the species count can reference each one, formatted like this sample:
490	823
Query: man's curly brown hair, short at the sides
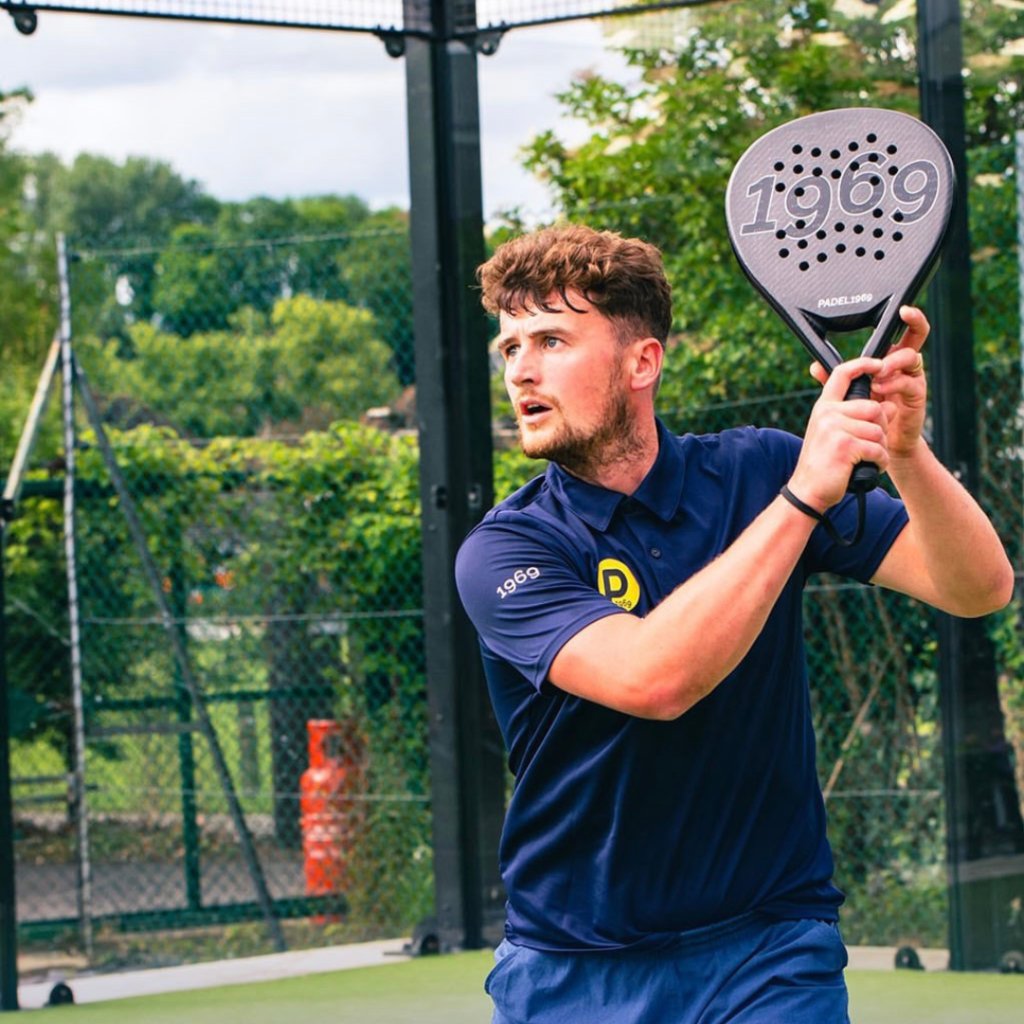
622	278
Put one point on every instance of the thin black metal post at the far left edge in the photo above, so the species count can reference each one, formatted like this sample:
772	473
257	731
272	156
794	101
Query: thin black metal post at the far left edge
9	908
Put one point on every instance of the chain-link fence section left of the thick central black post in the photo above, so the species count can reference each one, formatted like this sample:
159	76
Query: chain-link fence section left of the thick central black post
285	535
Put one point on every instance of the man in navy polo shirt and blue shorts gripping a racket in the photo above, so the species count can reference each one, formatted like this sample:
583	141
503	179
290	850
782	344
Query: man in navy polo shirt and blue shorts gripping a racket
639	614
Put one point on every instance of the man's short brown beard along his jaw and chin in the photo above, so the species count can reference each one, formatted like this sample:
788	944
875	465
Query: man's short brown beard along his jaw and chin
586	454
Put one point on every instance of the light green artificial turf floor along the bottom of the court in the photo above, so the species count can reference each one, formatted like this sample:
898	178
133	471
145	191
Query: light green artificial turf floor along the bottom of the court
449	991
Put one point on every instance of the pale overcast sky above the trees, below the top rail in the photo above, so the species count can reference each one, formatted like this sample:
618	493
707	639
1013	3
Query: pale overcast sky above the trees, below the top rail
276	112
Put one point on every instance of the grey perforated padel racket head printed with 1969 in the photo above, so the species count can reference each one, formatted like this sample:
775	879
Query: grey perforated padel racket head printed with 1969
838	220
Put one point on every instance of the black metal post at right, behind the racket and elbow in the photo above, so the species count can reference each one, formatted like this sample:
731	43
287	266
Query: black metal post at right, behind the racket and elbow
986	836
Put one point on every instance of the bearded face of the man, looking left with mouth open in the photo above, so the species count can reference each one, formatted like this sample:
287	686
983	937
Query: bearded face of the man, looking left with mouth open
565	372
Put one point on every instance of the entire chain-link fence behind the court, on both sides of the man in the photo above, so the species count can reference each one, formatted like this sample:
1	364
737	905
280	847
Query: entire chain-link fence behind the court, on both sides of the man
259	399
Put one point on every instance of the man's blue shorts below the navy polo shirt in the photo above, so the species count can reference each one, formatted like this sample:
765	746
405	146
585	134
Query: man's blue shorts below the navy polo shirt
753	970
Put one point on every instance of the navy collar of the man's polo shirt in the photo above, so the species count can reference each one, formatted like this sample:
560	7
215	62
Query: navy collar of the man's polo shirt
660	492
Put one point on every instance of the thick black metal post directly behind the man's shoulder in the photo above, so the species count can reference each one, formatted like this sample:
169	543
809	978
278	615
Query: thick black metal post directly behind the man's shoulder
456	477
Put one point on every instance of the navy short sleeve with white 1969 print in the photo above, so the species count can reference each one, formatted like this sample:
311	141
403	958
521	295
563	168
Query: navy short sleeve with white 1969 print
526	594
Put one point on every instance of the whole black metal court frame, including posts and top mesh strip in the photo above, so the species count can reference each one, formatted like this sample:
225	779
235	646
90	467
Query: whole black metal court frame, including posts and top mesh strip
441	40
